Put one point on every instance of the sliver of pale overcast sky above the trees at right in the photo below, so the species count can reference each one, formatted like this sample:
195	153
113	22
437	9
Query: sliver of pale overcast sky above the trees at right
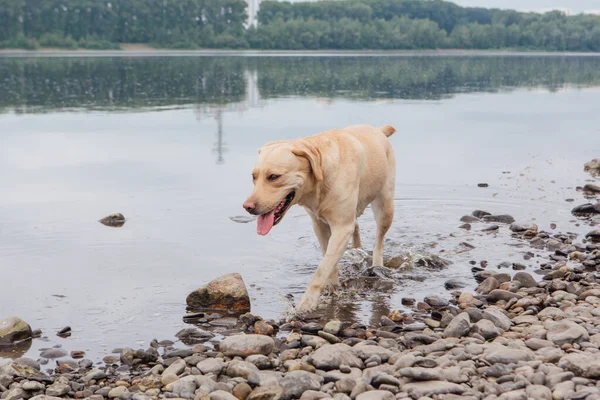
575	6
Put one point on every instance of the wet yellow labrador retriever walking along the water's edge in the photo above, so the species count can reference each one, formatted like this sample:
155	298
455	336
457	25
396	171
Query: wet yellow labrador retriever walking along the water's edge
334	175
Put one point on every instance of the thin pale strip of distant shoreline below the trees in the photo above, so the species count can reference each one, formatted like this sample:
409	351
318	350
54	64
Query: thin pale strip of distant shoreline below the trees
144	51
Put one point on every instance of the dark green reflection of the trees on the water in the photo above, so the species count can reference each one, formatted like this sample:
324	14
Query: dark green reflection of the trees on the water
102	83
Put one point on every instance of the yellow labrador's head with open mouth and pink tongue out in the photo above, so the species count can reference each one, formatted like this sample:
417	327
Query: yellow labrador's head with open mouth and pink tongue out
284	172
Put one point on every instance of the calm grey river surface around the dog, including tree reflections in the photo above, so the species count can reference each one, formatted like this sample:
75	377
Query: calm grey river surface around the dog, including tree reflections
170	143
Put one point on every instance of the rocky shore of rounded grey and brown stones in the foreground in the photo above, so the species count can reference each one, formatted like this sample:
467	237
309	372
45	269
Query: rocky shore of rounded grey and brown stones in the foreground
515	337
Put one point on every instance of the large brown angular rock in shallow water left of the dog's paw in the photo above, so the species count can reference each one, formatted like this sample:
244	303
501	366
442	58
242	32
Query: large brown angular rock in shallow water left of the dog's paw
227	292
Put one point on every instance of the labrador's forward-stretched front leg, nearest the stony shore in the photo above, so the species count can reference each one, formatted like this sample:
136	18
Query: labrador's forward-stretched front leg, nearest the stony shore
327	270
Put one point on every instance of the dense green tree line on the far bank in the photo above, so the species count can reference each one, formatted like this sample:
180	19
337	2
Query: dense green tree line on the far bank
345	24
